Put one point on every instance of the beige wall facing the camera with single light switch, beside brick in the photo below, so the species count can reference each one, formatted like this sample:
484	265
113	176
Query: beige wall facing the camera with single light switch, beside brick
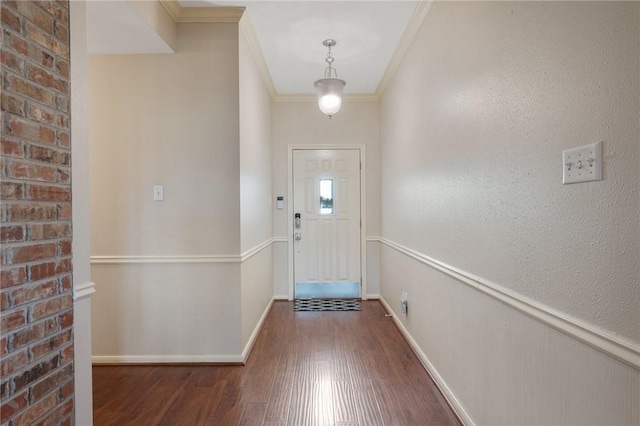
171	291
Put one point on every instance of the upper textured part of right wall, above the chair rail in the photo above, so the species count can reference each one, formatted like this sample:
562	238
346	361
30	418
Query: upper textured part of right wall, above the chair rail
474	129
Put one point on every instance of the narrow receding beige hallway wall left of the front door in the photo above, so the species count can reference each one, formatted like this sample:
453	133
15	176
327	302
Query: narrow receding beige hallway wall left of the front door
255	192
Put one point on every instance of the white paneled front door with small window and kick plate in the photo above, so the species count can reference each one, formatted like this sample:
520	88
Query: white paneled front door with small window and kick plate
326	226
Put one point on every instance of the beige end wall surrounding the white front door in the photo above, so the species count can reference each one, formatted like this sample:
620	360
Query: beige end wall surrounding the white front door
302	123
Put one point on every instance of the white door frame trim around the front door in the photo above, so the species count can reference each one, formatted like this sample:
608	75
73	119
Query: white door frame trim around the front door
363	209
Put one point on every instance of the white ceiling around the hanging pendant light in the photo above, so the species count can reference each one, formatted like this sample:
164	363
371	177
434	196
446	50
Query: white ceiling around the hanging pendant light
289	33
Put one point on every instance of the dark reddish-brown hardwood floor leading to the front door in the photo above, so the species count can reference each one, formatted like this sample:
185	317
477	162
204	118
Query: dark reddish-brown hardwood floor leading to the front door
306	368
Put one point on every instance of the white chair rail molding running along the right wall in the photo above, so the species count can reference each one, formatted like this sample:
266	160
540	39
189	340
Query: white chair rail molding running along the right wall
603	341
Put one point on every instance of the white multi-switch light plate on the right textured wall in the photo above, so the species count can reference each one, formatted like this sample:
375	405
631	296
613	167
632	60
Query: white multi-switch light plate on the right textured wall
582	164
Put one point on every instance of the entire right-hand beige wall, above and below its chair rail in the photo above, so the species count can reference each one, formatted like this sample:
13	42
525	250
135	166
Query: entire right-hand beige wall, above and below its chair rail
473	128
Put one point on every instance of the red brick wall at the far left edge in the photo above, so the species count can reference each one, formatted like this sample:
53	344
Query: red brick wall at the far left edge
36	342
